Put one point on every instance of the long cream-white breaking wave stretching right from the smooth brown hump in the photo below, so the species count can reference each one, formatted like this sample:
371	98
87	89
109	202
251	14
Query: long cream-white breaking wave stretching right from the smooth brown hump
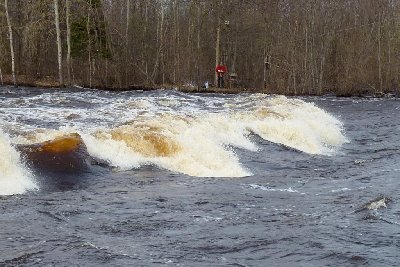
201	142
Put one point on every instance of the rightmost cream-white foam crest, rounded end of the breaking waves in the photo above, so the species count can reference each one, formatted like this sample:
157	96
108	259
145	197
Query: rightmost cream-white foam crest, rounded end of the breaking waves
299	125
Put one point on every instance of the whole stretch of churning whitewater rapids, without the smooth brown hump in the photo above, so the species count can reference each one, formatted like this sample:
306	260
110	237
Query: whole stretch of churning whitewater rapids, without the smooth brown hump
189	134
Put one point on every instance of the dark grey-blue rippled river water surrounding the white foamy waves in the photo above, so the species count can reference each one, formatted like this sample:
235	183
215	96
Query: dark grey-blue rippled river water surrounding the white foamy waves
295	209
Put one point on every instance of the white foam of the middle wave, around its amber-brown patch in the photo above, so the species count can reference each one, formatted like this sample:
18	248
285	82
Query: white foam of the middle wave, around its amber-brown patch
198	153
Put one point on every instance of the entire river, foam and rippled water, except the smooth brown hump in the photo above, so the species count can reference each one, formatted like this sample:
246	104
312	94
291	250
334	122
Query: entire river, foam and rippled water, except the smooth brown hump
200	180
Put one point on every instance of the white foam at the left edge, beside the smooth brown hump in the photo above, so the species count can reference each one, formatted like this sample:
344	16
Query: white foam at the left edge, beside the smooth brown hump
14	177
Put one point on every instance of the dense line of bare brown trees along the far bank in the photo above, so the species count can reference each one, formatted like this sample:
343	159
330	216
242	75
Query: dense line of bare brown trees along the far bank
284	46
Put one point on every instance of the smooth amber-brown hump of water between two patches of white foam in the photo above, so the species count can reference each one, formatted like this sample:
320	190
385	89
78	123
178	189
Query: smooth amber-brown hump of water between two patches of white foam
66	154
